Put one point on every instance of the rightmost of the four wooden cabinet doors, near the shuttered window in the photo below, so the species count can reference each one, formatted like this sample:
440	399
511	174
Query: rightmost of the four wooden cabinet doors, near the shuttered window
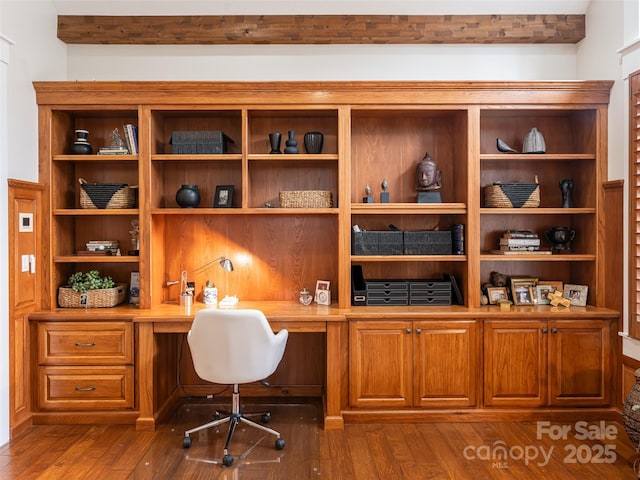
579	363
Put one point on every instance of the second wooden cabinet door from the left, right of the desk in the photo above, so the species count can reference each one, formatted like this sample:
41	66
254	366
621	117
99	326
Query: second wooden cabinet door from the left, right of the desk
446	363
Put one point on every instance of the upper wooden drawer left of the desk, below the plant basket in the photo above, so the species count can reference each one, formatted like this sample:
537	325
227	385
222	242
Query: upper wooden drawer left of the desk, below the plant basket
85	343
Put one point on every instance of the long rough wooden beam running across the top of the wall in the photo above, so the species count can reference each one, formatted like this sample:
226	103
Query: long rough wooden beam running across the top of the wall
320	29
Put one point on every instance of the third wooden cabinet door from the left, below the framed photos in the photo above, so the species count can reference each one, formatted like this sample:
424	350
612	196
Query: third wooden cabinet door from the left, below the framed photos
515	363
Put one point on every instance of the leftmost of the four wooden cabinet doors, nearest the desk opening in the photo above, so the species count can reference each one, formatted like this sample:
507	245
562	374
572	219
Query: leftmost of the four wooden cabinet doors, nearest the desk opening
380	363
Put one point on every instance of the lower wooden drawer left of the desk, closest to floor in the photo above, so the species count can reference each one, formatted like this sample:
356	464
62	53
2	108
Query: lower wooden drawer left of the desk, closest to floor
90	388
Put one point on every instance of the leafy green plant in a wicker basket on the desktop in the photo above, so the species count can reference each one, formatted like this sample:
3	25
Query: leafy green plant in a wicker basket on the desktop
90	290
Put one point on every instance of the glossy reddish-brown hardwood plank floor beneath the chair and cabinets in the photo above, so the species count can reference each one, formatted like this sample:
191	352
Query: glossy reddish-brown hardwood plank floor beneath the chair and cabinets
363	452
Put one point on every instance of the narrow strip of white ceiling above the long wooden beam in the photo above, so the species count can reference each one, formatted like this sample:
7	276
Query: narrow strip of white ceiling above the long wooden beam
282	7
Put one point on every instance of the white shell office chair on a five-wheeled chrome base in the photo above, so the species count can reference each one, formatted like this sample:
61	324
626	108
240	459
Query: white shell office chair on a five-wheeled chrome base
233	347
